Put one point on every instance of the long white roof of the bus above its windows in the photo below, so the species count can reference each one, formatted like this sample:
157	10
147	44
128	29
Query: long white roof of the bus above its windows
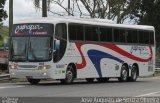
101	22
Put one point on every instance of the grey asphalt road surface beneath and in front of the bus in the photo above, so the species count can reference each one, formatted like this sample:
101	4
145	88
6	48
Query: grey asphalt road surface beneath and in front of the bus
144	87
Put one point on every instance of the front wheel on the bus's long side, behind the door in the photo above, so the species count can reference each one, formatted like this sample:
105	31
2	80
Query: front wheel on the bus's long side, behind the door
70	75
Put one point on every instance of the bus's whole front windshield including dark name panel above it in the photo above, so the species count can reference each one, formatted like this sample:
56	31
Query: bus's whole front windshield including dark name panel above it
31	42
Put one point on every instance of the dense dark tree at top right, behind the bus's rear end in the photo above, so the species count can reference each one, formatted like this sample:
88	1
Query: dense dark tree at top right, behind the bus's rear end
150	15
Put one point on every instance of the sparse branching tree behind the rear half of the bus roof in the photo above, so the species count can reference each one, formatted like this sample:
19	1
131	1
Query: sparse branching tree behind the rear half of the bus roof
117	10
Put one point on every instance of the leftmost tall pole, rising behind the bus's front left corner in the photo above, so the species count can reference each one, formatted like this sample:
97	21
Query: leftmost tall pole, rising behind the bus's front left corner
10	16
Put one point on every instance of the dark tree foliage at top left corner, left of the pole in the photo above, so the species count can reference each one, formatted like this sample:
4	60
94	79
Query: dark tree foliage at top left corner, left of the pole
3	14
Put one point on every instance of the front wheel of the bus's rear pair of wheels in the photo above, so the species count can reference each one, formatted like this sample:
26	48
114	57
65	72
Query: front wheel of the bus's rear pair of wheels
124	74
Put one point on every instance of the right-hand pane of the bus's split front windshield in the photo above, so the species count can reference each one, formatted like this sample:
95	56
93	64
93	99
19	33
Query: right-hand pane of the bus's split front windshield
39	49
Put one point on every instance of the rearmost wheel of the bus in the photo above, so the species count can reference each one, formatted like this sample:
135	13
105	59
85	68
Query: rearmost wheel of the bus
134	74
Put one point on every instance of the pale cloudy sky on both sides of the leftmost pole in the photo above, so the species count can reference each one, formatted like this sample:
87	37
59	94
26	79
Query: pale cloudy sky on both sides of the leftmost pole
22	9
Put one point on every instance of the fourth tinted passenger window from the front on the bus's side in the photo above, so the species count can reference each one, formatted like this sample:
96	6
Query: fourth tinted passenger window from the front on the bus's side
119	35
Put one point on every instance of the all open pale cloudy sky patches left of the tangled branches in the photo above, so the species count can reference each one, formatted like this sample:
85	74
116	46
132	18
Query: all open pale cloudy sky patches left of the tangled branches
24	9
